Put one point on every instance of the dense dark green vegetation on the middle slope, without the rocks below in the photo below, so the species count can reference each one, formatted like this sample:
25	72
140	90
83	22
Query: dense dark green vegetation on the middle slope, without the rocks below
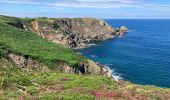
28	44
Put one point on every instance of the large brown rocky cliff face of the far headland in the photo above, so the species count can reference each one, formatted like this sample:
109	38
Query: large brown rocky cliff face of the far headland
73	33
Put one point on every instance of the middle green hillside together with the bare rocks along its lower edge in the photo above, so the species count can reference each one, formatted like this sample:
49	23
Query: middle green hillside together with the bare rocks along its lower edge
28	50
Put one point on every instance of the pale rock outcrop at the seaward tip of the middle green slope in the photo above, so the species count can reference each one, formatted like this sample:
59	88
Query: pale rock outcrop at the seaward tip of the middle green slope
89	68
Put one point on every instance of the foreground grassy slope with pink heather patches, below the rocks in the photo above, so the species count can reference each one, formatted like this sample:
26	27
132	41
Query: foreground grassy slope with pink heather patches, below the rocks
49	85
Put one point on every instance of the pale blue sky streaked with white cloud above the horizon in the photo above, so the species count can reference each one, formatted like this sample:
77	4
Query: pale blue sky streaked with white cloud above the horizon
106	9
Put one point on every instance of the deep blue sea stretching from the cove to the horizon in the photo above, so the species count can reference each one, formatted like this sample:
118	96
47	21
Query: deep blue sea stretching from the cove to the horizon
141	56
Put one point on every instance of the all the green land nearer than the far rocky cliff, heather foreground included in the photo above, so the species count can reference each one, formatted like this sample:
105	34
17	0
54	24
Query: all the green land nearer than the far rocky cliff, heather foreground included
31	67
